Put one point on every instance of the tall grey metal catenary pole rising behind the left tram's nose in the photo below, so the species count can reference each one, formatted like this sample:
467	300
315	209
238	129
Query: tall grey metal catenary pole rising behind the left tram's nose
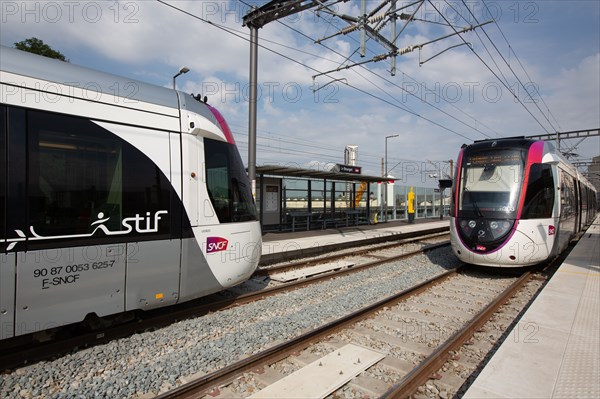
252	108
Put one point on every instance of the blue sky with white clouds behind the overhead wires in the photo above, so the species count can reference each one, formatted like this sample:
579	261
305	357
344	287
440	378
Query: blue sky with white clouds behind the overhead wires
533	69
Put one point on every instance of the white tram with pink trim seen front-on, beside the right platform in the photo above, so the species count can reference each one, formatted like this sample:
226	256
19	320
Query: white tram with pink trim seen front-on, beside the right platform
516	202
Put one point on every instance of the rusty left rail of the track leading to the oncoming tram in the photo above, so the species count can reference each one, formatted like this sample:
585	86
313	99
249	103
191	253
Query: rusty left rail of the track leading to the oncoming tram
271	355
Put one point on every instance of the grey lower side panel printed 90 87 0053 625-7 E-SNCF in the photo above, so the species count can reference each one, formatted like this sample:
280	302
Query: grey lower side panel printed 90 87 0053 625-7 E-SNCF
61	286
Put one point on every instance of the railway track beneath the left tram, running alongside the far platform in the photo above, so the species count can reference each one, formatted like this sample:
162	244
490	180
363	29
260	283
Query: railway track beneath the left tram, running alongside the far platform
23	352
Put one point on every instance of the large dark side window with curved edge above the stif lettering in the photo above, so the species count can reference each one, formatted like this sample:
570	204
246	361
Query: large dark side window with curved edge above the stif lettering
83	178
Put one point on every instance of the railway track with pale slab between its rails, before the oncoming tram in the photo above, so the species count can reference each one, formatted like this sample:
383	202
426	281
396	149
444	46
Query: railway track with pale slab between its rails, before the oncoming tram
390	349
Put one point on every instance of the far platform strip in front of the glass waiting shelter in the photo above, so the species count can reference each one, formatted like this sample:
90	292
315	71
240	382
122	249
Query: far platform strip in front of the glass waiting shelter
280	247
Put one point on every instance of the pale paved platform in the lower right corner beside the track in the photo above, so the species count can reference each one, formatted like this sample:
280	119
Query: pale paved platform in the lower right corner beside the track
554	349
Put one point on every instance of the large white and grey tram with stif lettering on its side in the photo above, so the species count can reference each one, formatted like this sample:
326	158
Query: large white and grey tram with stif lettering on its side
115	195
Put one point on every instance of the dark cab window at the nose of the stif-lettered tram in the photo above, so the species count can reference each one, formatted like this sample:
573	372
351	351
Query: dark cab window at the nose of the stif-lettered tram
227	183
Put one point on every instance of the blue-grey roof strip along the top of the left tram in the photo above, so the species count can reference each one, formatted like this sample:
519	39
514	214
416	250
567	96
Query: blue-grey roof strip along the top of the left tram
38	67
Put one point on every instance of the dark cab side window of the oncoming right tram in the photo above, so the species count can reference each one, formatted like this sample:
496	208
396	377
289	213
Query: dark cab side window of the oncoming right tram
539	197
